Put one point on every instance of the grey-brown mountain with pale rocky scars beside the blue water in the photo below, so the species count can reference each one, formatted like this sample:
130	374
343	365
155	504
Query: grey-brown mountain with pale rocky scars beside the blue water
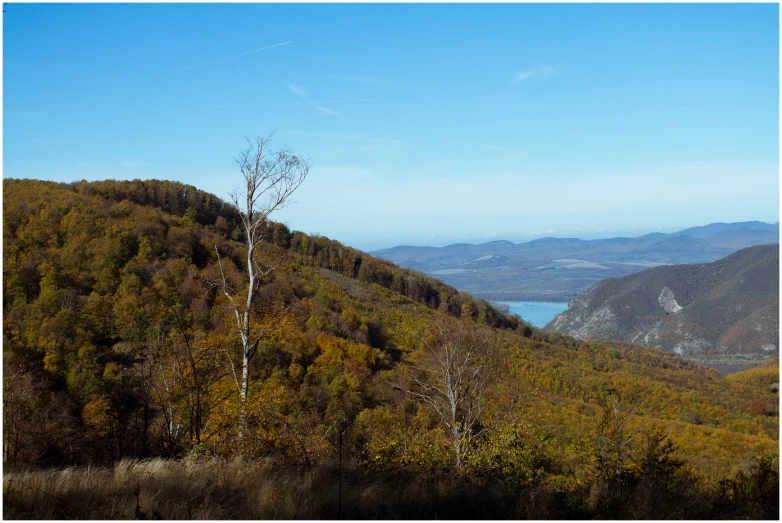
726	308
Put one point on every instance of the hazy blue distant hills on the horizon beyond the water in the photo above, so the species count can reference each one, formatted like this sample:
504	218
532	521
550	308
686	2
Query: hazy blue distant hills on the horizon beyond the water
559	269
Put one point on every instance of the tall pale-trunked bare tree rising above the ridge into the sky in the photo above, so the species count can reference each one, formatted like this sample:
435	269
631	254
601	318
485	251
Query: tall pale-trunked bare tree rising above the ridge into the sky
270	177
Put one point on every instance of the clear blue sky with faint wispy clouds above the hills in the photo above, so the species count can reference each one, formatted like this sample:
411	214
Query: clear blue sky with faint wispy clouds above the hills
425	124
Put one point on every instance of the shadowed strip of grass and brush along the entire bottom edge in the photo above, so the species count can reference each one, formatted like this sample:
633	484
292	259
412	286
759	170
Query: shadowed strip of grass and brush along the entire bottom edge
216	488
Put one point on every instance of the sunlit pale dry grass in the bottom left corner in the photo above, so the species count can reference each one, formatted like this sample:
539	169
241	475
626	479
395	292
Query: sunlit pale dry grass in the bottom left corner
157	488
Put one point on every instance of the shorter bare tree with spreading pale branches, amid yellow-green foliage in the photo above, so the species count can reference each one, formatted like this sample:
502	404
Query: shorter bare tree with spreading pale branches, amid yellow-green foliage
452	374
